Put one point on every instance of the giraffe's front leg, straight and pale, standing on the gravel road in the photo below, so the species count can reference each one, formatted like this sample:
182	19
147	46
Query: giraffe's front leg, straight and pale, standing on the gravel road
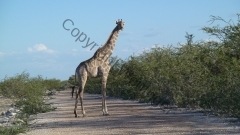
104	104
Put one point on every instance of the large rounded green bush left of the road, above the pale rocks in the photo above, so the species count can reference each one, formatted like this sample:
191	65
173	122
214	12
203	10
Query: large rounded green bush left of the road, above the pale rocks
26	92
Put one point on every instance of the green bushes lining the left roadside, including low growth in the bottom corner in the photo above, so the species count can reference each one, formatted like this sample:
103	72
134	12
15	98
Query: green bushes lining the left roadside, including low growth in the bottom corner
28	93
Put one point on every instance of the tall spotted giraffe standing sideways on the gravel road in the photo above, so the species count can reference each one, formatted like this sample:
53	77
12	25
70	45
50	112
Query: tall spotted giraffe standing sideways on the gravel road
97	66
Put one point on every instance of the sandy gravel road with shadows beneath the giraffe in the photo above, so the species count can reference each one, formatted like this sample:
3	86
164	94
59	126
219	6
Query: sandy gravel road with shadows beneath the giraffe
126	117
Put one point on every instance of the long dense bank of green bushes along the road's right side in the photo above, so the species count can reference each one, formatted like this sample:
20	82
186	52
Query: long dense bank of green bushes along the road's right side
203	74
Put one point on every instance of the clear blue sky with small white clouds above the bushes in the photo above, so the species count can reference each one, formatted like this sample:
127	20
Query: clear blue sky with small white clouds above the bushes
32	37
